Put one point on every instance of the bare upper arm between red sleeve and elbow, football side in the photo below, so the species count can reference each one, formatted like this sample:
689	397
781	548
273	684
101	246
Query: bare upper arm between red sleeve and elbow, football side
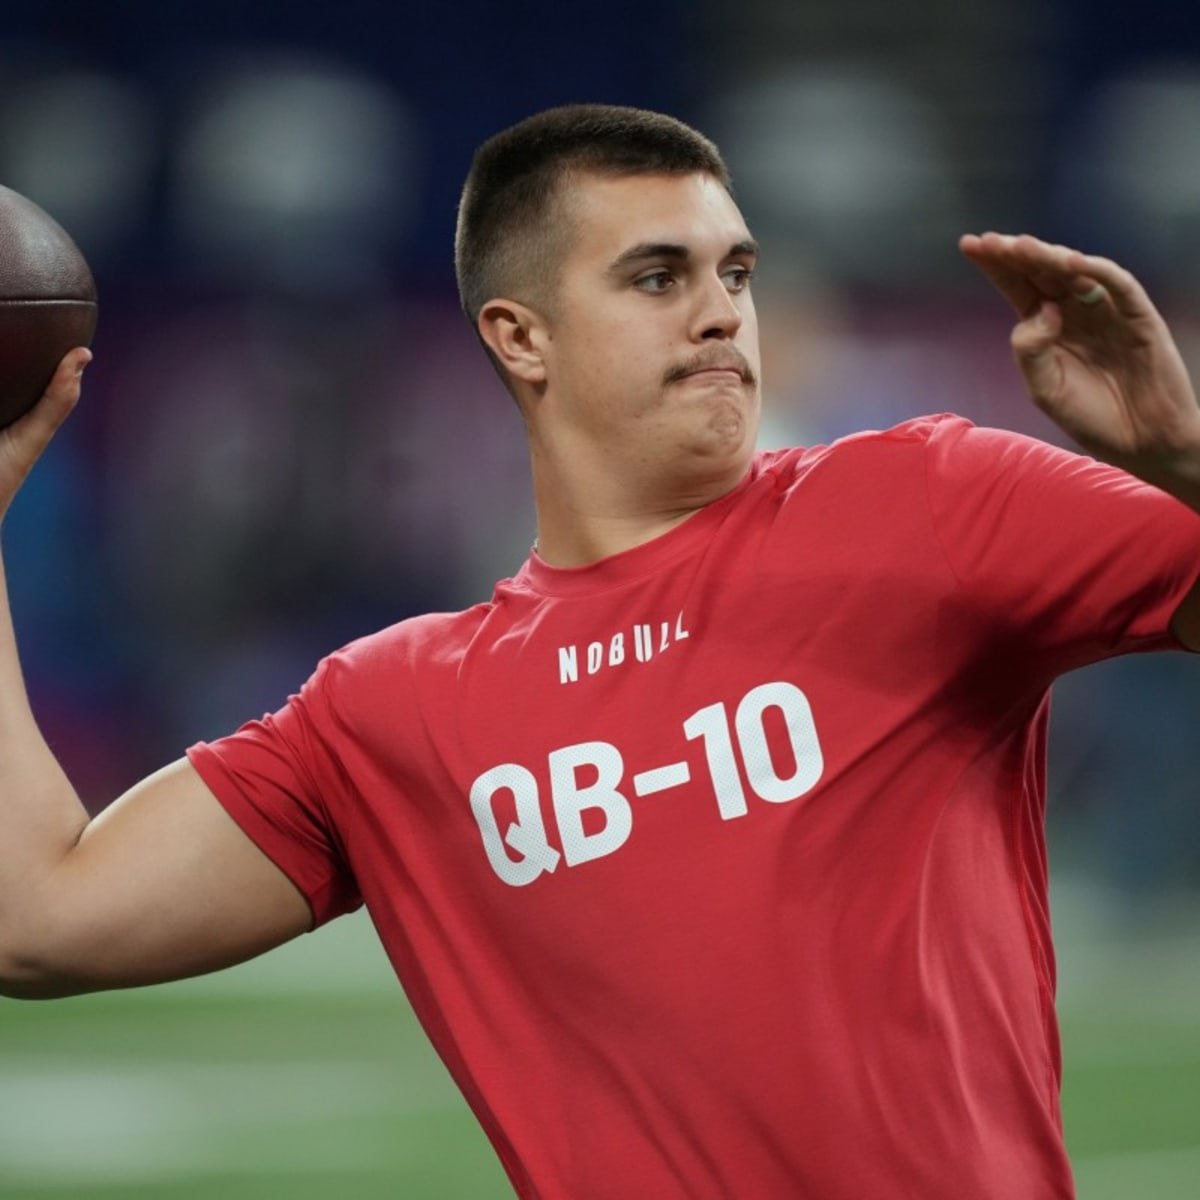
161	886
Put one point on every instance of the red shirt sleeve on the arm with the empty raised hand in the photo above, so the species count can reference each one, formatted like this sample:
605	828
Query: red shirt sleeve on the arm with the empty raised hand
1084	559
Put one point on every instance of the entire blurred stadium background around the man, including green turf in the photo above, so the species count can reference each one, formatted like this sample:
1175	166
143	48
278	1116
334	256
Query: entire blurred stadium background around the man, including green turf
289	440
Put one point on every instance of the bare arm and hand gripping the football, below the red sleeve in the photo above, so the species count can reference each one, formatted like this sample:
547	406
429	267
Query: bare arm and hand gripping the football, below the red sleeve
163	885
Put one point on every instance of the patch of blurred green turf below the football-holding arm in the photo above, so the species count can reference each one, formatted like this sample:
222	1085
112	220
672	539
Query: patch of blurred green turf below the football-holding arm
299	1076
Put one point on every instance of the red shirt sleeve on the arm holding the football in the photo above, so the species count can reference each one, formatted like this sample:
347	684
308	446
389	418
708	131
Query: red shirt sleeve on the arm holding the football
278	781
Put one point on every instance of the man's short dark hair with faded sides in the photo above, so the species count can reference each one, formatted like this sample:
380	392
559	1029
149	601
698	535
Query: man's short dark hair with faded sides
507	243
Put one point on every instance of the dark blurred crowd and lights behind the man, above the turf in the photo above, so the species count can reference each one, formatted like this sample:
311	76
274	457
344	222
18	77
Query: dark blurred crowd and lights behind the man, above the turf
290	437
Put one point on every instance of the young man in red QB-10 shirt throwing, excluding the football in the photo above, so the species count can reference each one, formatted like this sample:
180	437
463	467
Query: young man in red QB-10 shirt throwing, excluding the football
710	850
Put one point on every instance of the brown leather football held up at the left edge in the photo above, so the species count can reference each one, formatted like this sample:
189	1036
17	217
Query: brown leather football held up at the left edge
47	302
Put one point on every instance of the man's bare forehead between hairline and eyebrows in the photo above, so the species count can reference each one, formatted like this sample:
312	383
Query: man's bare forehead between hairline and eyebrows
611	214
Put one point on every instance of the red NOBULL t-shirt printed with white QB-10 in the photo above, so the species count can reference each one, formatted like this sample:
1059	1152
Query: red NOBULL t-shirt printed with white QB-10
716	869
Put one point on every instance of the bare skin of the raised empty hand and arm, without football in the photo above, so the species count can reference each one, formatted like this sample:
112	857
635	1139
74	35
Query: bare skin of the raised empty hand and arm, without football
1100	361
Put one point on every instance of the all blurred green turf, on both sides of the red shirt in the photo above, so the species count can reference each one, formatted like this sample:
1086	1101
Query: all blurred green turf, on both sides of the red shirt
304	1076
